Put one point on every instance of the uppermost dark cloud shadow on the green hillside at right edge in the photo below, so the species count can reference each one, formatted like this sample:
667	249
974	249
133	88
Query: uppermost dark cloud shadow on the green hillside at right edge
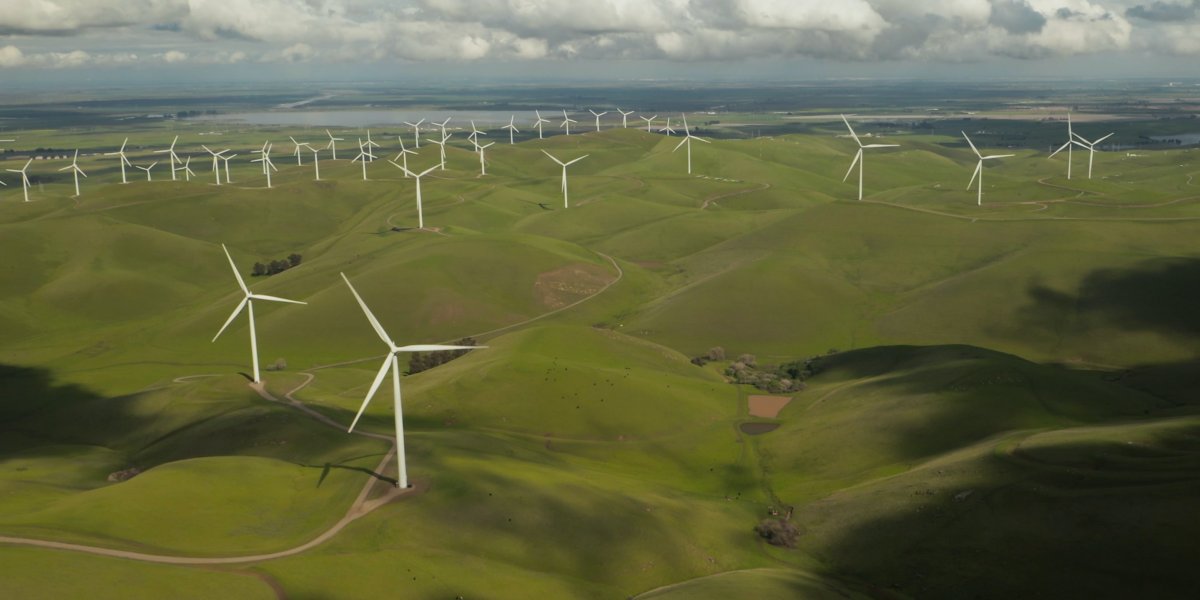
1155	296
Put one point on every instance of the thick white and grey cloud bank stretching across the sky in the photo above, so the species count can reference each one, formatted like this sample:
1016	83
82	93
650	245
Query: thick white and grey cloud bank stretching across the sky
221	32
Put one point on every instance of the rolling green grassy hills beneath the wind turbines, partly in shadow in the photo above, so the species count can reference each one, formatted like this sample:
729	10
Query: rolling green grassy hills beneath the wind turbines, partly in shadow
1001	400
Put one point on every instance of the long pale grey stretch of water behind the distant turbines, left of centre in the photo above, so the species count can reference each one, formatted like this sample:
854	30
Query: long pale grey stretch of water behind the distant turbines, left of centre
387	118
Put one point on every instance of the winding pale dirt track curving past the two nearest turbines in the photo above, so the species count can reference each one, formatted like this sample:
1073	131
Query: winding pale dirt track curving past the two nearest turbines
359	508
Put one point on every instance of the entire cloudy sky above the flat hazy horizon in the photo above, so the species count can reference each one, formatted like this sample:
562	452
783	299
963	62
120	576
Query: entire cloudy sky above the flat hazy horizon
110	41
